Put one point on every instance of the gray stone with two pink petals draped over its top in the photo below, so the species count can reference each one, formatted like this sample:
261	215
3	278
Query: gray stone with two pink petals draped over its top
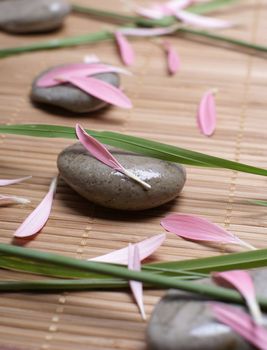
70	97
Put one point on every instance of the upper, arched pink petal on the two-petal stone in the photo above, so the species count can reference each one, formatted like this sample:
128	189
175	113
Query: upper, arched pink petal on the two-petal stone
60	75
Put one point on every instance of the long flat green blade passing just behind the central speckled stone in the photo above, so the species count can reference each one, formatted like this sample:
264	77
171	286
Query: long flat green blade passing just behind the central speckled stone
135	144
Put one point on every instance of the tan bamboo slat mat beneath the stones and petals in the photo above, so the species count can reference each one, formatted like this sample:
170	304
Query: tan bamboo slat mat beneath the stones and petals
164	110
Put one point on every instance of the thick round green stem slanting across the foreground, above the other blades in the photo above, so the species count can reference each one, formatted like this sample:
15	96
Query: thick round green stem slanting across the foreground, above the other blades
208	291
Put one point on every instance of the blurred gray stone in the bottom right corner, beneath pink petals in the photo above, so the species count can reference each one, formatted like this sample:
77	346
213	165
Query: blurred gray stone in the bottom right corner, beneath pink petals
182	321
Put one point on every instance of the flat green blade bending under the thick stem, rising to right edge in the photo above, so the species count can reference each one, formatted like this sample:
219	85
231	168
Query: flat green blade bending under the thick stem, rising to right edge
184	268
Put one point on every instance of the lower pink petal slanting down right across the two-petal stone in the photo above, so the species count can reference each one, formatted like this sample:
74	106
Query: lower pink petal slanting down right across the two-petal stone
102	90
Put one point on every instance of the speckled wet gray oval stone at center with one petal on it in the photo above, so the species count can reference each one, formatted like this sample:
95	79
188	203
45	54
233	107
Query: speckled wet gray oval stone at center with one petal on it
107	187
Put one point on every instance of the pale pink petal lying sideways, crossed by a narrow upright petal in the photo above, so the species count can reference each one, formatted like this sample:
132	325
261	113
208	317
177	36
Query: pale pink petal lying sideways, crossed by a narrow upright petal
146	248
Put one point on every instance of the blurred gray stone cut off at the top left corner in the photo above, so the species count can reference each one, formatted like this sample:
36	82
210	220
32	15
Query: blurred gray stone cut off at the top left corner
30	16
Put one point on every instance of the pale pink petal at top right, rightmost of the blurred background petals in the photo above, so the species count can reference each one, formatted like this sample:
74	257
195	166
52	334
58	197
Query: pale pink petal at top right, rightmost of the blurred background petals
201	21
